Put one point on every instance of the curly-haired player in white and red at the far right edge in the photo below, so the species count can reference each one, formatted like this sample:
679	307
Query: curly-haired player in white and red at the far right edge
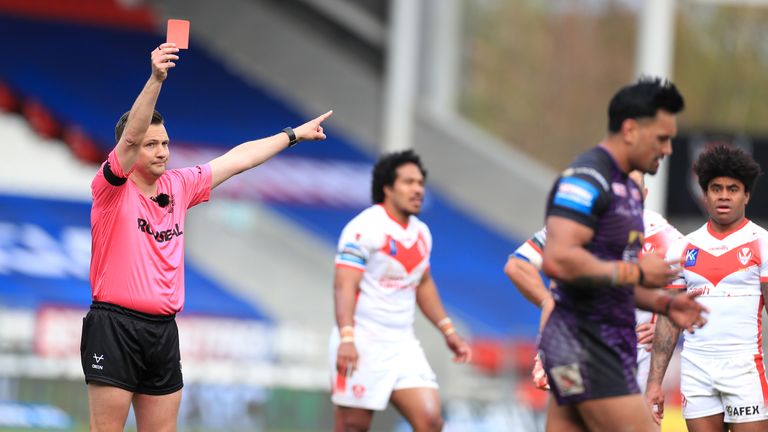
726	261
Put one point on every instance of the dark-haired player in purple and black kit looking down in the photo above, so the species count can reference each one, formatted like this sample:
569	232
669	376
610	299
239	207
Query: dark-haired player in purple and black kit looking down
594	234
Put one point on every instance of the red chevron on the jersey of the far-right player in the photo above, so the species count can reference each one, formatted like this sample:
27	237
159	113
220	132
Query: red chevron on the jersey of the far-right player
715	268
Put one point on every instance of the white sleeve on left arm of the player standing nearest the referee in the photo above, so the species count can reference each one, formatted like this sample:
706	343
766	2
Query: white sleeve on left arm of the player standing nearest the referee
356	244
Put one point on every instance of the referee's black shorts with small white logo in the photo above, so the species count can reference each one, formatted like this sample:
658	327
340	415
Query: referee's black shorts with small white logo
131	350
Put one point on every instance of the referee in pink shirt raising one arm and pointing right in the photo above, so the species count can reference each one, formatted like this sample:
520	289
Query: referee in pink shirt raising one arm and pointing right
130	343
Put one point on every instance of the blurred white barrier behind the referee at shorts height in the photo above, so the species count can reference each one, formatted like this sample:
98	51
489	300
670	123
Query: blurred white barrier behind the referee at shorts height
46	344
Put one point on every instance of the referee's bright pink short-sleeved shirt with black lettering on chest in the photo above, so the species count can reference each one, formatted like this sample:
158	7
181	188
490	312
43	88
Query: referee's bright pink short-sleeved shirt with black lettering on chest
137	258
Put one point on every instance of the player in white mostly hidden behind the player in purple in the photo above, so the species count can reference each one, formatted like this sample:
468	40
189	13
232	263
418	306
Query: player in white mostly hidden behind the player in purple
524	264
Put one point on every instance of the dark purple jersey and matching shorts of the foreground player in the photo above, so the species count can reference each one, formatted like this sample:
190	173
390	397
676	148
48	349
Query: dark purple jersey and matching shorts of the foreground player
588	345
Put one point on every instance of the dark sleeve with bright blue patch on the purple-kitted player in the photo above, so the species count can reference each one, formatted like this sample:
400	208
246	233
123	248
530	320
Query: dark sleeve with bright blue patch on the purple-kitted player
579	197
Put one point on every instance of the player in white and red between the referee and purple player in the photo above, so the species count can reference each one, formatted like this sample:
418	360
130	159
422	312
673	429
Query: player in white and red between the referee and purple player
382	273
